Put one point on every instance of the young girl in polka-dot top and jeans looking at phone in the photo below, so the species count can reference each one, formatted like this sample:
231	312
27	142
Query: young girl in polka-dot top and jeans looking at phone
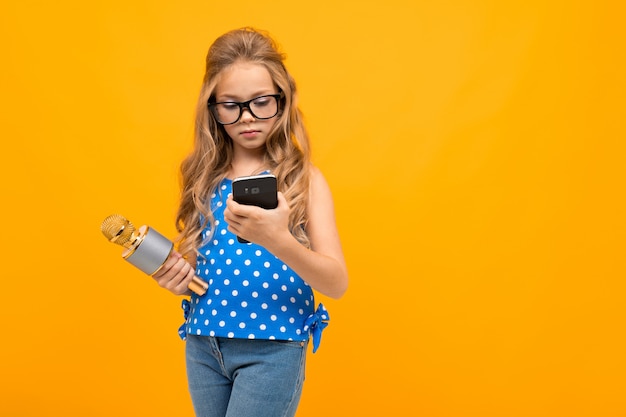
246	338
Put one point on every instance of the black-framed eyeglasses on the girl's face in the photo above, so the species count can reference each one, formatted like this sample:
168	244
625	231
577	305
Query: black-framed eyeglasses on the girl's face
229	112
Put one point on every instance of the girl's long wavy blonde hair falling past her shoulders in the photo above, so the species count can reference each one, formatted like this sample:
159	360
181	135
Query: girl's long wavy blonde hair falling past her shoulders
287	147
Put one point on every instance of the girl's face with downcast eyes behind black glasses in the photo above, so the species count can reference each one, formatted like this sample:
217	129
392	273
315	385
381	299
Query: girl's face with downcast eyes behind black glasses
239	83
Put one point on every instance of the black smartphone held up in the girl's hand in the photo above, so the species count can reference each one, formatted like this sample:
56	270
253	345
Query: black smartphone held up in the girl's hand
256	190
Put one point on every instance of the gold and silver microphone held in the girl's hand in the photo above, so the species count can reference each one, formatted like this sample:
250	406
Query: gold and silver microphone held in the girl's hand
145	248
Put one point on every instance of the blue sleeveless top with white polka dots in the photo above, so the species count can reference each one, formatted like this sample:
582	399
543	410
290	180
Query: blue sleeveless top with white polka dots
252	294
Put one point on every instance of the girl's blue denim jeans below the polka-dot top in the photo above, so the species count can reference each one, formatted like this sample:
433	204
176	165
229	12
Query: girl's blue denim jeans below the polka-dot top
243	378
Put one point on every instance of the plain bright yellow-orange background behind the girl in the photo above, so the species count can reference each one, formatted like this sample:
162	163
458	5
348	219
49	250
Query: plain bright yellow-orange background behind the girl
476	154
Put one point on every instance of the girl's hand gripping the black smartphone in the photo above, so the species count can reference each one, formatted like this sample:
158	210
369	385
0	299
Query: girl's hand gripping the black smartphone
258	225
